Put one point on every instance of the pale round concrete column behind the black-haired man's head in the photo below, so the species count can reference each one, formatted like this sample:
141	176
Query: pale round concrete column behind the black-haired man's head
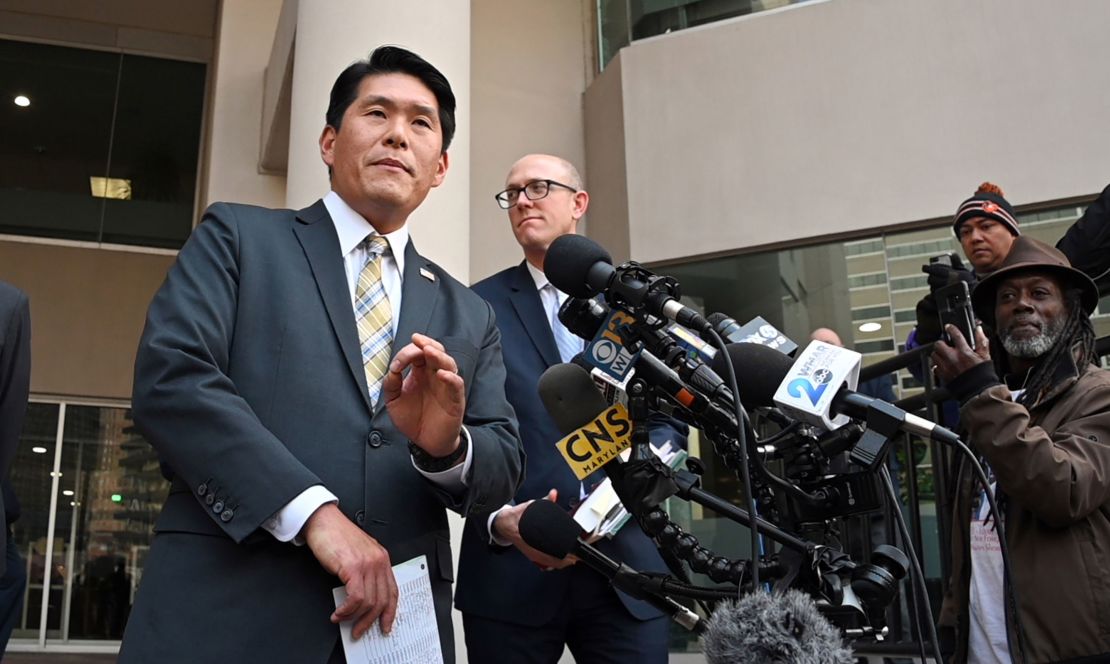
334	34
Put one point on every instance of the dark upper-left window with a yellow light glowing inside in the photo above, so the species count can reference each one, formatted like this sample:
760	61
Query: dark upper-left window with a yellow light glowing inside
104	147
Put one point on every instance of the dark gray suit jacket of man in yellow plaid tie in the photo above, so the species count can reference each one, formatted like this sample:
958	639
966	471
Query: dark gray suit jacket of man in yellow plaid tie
249	384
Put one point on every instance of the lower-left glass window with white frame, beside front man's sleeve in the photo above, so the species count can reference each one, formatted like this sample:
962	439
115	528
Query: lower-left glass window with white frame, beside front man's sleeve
107	491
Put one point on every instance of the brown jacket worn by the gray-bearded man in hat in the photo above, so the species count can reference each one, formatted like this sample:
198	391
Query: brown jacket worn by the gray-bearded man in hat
1054	465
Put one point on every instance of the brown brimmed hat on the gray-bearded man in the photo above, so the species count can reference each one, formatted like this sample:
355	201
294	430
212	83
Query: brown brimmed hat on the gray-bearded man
1028	255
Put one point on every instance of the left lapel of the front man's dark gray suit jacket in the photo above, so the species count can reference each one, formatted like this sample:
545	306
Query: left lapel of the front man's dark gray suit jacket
317	235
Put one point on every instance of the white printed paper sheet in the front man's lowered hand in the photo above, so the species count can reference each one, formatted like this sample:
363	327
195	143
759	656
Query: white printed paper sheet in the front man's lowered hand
416	637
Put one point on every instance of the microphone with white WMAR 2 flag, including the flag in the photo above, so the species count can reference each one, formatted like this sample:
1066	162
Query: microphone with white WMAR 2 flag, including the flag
768	374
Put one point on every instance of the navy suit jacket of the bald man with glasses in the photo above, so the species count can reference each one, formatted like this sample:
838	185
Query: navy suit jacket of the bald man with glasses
501	583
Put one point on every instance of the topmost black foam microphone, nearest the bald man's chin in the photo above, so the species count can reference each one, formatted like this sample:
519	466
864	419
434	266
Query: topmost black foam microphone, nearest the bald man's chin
582	268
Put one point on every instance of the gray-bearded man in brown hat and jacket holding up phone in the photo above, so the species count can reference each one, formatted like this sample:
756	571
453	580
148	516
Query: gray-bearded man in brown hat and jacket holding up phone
1037	411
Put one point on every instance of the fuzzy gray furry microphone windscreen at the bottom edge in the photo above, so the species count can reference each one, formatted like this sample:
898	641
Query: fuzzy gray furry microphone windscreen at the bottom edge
762	629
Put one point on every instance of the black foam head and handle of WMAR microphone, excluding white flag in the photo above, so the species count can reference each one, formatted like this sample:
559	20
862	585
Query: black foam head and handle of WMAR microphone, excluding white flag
765	369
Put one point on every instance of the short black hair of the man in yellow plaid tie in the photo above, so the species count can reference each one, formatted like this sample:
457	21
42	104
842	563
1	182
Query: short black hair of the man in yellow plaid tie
393	61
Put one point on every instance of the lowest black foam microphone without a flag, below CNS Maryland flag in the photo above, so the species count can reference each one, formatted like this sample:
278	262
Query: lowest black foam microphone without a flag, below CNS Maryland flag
548	528
